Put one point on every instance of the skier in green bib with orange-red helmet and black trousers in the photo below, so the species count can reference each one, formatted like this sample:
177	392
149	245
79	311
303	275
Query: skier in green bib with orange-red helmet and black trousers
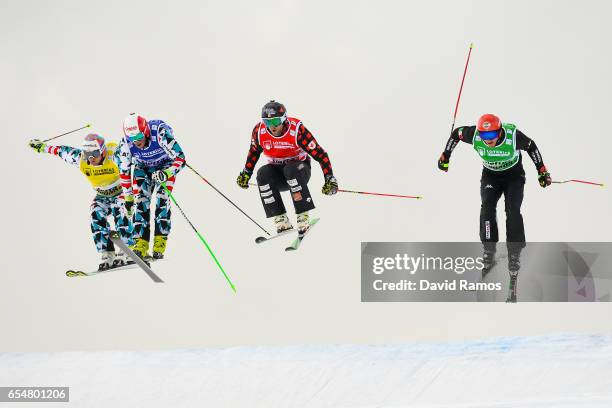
498	145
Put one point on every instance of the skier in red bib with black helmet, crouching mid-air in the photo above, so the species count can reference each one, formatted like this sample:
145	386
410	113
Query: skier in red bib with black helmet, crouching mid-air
288	145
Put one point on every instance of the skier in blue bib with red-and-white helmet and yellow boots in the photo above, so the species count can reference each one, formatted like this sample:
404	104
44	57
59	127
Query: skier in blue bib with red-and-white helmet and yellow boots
150	148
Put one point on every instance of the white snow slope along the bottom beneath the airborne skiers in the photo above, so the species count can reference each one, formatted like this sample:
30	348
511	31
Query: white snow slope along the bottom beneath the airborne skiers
551	371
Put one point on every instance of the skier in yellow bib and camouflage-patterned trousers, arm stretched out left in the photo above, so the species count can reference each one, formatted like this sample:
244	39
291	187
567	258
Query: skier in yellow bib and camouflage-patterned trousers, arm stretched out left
98	160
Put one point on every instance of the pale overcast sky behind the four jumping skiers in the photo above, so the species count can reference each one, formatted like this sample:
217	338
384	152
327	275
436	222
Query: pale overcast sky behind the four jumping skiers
376	83
